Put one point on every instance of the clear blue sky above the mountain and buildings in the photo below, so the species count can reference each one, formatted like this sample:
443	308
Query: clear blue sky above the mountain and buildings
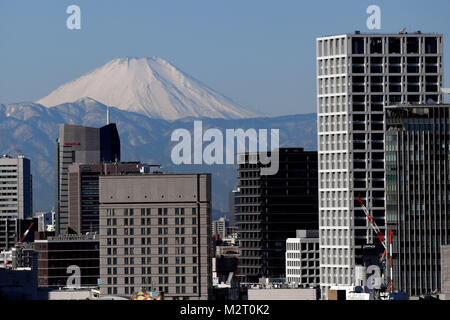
260	53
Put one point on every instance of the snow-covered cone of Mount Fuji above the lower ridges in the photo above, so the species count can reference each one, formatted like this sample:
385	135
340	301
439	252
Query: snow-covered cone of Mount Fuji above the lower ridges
151	87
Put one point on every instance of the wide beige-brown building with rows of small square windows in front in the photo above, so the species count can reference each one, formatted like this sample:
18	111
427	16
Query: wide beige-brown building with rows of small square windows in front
156	234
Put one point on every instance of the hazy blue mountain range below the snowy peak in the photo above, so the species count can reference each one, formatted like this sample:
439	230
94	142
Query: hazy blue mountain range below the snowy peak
31	129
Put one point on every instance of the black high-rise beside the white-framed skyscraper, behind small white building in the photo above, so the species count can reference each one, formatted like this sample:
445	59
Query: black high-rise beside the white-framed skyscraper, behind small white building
271	208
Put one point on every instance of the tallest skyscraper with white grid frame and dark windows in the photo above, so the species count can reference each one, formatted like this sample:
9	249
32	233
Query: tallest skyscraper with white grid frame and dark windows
358	74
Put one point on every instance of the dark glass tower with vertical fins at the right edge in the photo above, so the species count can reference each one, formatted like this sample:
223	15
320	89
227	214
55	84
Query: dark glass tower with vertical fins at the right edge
417	146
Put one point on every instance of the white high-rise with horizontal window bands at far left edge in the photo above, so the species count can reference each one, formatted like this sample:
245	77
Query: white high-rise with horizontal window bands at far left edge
16	196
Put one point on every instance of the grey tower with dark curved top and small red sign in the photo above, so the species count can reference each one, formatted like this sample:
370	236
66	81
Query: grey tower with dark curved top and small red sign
78	144
